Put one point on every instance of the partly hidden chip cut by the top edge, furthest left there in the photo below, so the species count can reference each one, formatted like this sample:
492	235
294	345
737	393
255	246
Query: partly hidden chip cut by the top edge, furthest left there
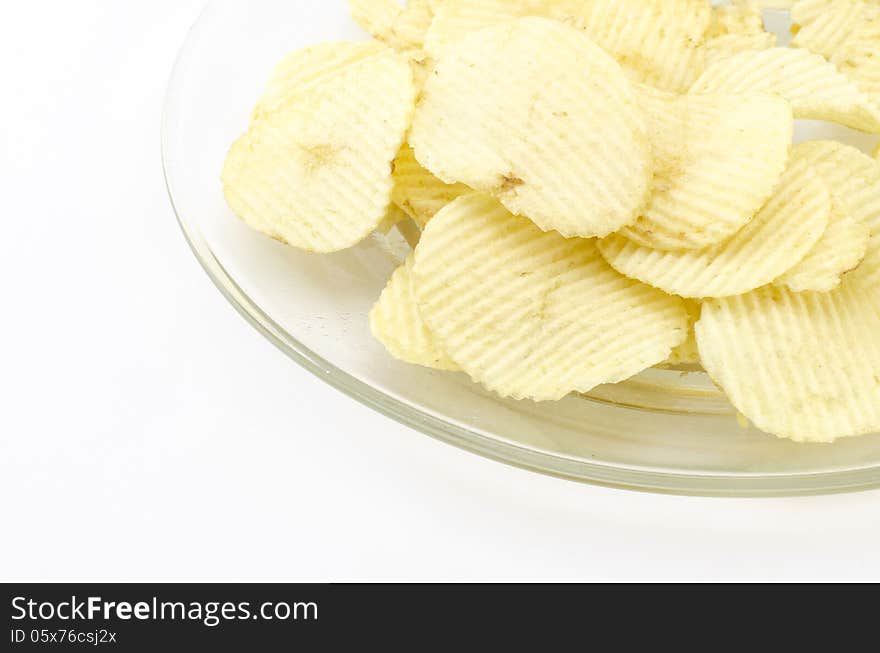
403	28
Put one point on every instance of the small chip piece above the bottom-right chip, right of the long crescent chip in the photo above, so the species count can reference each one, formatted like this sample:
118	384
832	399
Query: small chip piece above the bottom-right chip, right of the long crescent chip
841	249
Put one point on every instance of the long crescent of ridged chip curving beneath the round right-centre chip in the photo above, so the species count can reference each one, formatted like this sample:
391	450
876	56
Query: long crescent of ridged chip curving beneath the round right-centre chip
780	237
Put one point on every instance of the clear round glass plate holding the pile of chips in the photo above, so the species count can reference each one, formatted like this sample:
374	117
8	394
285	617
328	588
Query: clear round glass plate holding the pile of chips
666	431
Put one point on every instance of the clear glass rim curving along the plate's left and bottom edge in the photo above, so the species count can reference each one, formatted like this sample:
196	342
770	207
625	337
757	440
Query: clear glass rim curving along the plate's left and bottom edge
607	474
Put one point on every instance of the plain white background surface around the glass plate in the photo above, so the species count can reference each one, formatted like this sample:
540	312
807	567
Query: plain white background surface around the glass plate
149	433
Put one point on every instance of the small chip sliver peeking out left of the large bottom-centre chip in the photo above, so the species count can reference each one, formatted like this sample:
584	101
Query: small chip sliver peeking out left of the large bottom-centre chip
396	322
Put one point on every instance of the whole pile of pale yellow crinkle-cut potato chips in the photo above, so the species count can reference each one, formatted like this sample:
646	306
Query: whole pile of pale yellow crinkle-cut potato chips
601	187
